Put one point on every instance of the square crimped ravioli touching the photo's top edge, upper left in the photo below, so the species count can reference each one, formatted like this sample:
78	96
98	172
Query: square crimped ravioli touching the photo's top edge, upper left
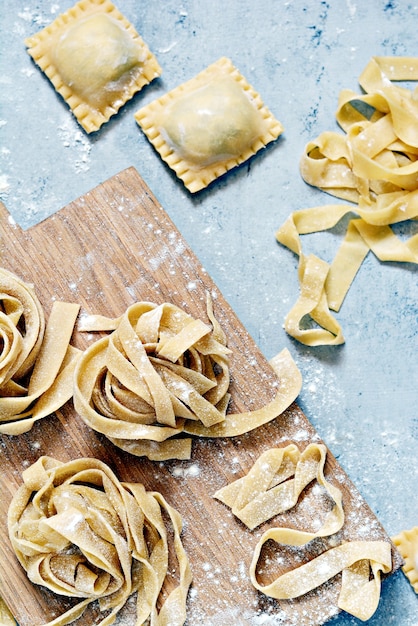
95	59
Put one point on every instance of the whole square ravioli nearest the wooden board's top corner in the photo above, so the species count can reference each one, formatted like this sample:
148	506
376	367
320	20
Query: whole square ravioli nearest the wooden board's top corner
208	125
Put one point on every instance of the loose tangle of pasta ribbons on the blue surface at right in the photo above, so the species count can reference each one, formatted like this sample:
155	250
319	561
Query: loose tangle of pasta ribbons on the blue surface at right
374	166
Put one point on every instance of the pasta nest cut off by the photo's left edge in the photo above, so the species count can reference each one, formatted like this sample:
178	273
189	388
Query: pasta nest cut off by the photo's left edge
36	359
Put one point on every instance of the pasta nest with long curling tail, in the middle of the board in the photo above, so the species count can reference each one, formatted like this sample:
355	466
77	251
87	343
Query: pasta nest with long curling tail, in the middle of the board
159	375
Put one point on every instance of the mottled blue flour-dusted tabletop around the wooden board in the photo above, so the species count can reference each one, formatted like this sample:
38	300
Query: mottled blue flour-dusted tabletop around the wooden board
361	397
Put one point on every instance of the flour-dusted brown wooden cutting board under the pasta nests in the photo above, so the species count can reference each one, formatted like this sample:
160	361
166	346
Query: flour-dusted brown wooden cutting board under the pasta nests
106	250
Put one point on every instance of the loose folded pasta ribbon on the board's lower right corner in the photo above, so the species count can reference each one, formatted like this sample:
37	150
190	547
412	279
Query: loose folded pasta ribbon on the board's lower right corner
273	485
